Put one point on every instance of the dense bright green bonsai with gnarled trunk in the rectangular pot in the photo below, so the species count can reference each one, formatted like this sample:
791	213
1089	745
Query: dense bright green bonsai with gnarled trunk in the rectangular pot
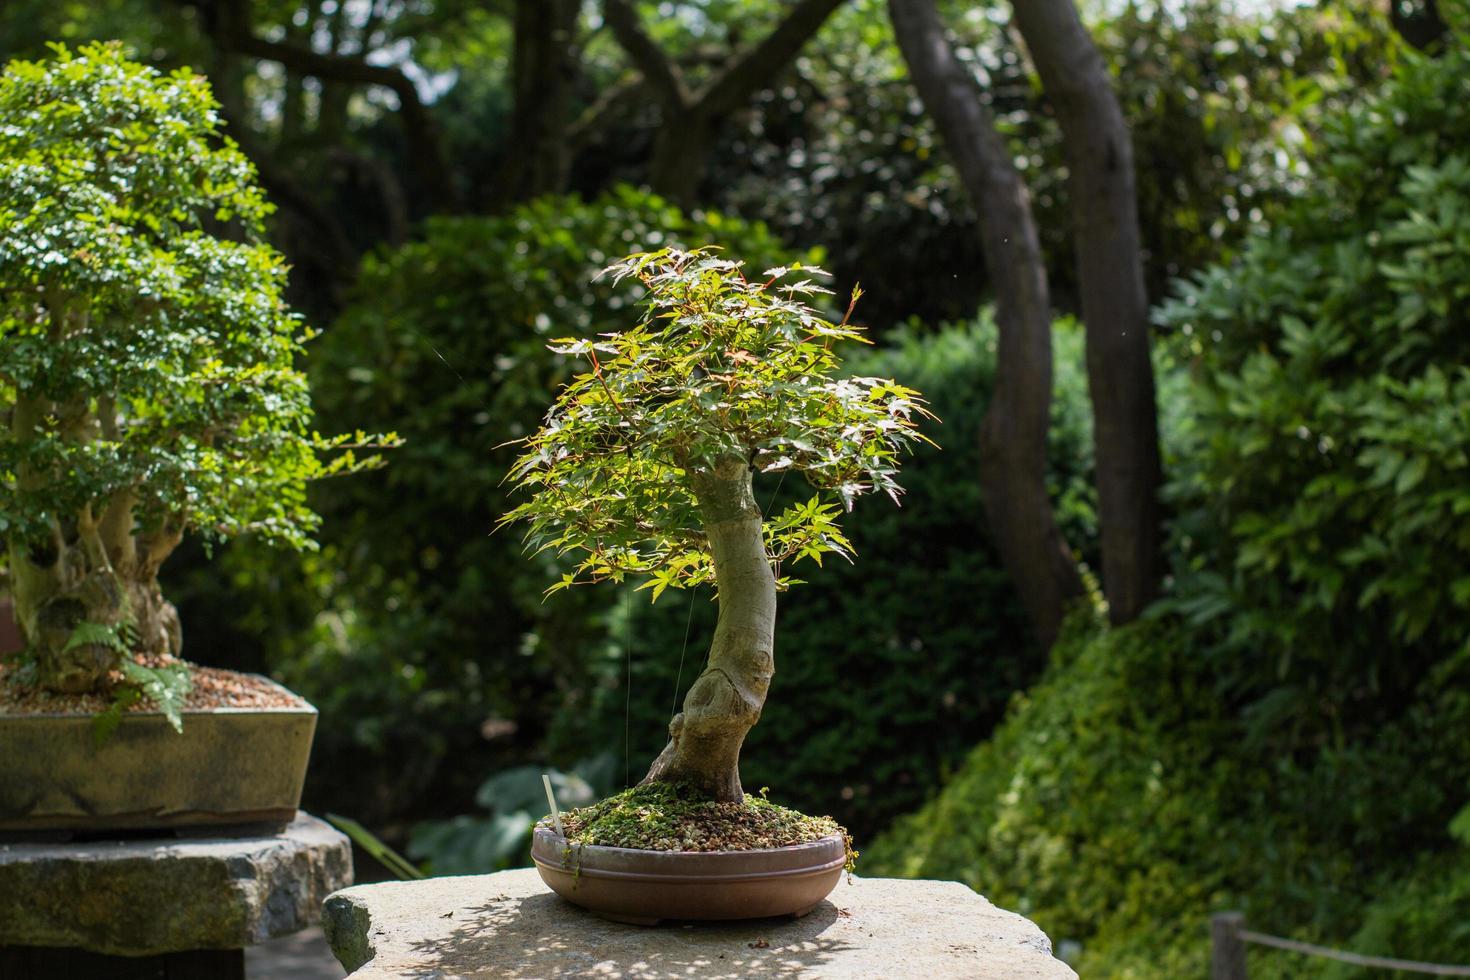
148	381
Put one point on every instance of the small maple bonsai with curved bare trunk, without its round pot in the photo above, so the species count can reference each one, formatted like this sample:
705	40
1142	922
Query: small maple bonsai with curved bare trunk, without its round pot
646	465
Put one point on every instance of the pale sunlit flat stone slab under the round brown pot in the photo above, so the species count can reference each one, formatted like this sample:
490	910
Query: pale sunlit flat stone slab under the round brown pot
509	925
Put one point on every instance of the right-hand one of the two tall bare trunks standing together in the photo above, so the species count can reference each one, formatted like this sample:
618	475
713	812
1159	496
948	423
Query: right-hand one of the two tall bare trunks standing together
1115	308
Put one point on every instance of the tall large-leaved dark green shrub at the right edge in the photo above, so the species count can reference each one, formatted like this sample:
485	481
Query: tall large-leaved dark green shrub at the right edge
1325	486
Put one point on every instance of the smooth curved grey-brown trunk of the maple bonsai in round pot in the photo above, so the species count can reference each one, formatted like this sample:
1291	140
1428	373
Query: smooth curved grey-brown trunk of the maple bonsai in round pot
725	702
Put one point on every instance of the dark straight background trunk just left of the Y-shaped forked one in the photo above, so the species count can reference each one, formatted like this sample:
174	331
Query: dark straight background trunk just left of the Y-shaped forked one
542	86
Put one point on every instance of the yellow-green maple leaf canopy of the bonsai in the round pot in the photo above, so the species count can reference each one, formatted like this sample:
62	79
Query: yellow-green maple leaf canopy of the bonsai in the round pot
720	367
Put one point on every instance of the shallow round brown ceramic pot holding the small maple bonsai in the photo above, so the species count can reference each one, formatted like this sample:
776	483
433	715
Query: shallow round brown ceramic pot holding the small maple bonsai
646	887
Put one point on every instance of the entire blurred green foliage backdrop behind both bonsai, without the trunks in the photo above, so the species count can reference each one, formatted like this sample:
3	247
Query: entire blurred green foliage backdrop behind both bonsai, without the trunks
1286	735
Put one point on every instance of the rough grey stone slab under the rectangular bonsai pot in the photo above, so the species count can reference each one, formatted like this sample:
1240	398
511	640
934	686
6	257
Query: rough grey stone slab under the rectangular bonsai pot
137	898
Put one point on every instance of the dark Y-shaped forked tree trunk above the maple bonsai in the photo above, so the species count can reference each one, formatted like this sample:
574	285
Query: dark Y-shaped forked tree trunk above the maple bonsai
692	121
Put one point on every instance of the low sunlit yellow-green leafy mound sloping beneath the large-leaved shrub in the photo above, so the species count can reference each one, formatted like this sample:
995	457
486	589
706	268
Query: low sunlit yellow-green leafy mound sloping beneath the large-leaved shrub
1119	807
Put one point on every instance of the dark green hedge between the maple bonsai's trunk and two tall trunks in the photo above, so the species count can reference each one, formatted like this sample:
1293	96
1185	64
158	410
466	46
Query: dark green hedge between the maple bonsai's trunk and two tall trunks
890	669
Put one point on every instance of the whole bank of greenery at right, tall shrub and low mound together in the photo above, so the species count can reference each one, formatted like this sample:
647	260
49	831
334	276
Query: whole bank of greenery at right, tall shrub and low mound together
1288	735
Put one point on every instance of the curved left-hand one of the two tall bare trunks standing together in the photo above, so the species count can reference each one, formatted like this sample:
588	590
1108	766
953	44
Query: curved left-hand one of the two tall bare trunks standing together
1014	436
